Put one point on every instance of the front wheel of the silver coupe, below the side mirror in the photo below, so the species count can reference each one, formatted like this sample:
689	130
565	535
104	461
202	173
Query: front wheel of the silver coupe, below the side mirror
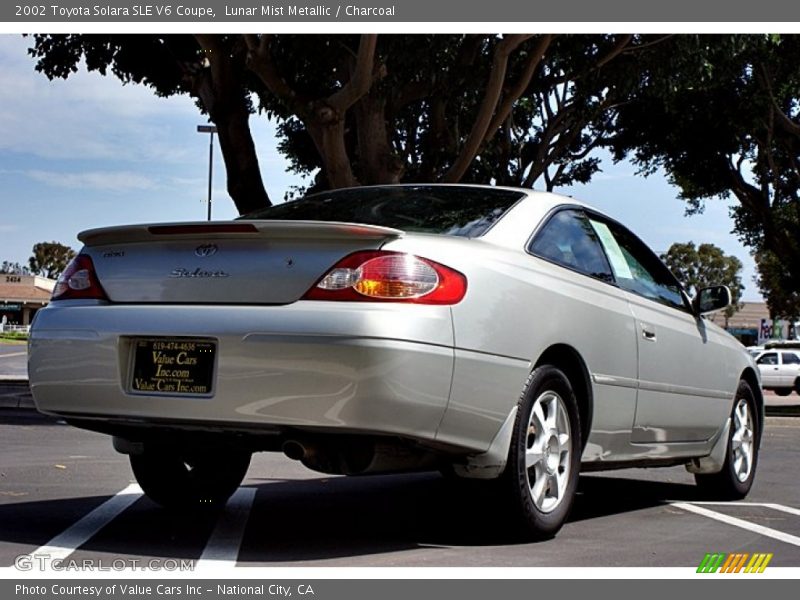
738	472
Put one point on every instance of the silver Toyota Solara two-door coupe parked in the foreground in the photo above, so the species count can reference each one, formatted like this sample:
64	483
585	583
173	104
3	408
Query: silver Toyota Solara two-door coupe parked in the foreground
490	333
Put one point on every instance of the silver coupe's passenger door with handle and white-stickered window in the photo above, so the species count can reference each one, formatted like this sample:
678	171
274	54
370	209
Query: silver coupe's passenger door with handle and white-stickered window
685	386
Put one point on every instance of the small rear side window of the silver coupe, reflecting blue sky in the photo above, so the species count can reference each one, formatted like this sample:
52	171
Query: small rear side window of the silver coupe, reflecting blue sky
568	239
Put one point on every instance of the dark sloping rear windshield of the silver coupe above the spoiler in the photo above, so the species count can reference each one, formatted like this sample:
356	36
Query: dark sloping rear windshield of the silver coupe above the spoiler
459	211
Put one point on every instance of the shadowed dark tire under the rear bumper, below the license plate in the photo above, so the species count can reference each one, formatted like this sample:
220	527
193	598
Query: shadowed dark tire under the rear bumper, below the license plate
190	478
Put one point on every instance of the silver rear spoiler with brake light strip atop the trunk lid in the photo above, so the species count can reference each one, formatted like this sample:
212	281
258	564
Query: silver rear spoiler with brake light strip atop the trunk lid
326	230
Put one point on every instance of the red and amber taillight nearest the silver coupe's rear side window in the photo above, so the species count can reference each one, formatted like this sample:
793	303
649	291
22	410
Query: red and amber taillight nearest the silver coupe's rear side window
390	277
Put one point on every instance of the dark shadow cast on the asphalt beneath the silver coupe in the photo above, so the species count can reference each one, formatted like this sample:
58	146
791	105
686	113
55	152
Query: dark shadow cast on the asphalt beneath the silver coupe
297	521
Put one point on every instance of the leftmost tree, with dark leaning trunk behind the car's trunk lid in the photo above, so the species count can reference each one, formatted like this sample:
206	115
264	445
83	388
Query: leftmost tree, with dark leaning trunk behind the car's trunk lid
210	68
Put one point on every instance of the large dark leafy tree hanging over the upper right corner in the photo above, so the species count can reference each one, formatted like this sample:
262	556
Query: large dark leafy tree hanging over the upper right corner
722	117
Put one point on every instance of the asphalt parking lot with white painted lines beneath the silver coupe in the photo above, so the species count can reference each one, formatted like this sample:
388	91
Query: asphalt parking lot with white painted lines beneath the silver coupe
66	494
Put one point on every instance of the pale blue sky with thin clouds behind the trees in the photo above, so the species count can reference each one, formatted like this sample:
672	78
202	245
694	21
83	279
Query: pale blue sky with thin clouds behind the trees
90	152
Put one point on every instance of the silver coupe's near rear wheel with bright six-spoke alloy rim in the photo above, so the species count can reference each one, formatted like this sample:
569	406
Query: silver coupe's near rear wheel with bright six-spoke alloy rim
544	459
